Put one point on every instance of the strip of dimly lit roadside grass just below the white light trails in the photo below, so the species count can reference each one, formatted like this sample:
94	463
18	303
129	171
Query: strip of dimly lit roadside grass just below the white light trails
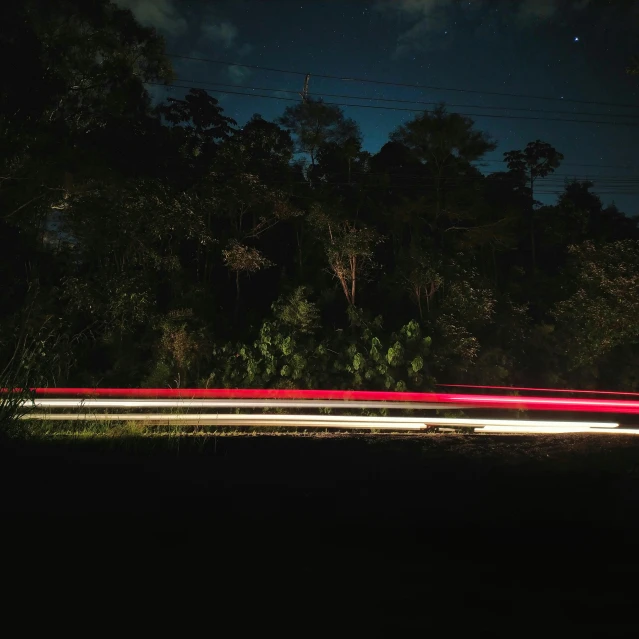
596	453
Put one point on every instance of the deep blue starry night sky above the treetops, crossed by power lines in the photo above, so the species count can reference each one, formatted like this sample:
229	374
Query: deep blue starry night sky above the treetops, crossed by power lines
560	49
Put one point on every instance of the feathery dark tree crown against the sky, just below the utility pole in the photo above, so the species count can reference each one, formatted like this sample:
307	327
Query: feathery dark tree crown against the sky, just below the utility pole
315	124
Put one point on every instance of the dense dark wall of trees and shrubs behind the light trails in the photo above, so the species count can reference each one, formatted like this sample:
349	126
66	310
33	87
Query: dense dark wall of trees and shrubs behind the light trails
162	245
